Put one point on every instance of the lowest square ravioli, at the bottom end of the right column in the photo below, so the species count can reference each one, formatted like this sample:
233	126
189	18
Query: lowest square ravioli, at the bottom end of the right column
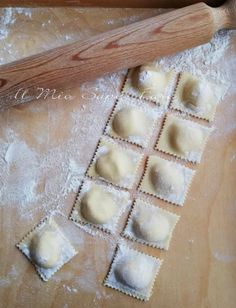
133	272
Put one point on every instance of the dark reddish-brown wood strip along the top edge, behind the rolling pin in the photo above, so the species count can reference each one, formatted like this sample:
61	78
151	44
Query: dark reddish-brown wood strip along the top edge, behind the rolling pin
107	3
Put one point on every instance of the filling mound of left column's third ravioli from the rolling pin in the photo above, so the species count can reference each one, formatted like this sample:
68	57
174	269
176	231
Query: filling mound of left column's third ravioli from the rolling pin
114	165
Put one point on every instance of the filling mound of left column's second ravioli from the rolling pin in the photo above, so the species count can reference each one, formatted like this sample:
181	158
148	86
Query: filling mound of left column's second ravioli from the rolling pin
130	121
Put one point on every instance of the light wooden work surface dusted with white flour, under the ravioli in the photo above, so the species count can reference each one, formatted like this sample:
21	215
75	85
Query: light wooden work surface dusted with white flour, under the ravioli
45	148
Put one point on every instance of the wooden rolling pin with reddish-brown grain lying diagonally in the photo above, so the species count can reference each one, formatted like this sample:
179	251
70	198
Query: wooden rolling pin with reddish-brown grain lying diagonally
121	48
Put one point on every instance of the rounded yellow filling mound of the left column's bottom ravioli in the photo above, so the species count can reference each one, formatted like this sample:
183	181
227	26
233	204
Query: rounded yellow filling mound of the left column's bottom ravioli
98	206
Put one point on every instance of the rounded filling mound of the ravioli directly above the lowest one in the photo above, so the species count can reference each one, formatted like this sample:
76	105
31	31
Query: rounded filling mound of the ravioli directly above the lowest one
151	228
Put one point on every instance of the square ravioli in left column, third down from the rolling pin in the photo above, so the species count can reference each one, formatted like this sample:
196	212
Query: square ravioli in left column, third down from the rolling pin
114	164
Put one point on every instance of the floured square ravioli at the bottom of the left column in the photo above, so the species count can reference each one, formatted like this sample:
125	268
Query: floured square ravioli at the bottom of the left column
100	206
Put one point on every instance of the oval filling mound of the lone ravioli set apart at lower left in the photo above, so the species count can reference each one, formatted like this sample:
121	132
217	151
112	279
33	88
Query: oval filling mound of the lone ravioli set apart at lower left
45	249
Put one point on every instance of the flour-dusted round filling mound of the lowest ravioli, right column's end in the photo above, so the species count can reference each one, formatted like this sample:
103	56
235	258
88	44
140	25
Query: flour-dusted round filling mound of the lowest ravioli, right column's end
136	272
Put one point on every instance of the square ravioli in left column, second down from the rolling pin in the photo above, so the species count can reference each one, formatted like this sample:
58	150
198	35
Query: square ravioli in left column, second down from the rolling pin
133	120
